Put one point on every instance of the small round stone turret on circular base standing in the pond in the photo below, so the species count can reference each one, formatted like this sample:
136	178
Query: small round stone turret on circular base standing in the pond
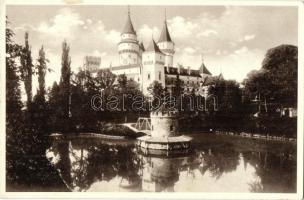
165	134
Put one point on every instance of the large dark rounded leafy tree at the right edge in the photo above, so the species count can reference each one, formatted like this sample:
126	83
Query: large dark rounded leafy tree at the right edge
277	80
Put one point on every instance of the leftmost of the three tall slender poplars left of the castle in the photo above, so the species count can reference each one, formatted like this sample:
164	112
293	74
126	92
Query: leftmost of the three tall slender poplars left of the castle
26	69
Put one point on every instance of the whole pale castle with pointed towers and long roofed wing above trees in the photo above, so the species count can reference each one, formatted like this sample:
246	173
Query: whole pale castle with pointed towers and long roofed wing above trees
155	63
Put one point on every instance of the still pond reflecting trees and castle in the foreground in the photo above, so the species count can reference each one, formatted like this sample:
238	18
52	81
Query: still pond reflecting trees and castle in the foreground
215	164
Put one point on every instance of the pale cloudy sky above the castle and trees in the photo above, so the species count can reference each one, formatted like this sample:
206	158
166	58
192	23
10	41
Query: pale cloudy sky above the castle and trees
230	39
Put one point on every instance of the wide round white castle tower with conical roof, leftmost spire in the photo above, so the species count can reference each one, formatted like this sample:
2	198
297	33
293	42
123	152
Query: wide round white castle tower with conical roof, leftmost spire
128	47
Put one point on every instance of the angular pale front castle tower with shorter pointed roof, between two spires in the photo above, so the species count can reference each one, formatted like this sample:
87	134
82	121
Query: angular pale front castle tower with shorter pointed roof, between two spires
153	61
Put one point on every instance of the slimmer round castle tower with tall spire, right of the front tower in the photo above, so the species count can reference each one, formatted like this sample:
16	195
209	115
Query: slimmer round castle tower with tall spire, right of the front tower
166	45
